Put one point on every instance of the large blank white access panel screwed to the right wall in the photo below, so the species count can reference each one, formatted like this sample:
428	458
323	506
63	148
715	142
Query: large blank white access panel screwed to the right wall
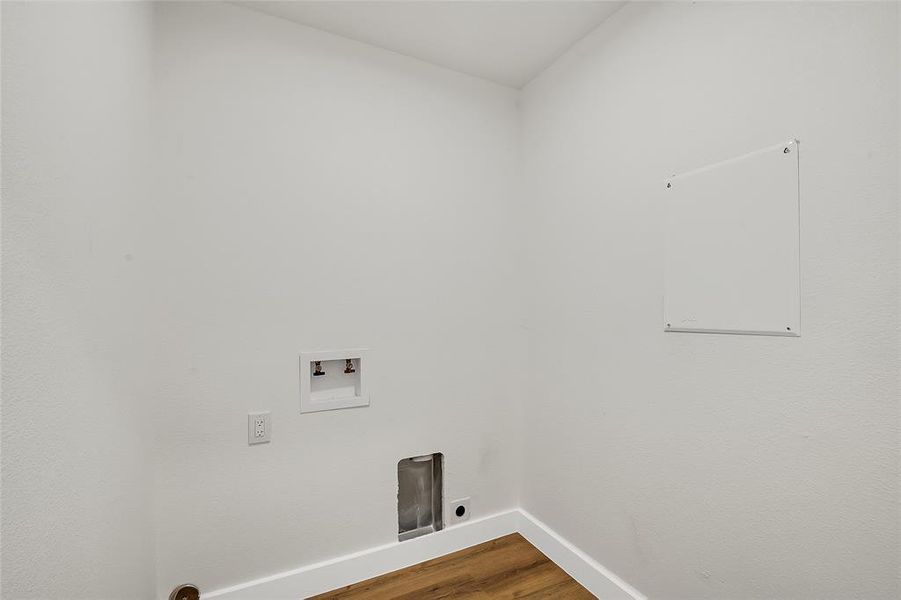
732	246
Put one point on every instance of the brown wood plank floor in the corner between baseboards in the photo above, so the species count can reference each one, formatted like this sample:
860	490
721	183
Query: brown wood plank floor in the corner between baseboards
508	567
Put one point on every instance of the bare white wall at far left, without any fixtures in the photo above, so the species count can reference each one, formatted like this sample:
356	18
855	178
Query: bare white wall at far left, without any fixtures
76	515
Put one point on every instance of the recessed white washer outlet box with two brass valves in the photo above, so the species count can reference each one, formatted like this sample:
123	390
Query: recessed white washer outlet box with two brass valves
333	379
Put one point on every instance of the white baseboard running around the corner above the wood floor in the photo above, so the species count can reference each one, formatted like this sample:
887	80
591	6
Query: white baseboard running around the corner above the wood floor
359	566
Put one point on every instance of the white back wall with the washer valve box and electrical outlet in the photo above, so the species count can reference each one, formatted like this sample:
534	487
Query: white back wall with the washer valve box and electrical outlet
315	193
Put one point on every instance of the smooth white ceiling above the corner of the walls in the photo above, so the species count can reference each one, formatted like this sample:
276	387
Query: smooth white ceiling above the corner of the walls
508	42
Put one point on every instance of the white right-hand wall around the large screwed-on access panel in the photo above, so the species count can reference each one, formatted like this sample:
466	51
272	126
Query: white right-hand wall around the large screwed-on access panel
717	466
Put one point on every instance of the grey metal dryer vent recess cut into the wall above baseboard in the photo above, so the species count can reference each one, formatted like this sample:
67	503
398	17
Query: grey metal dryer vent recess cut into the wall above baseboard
420	485
